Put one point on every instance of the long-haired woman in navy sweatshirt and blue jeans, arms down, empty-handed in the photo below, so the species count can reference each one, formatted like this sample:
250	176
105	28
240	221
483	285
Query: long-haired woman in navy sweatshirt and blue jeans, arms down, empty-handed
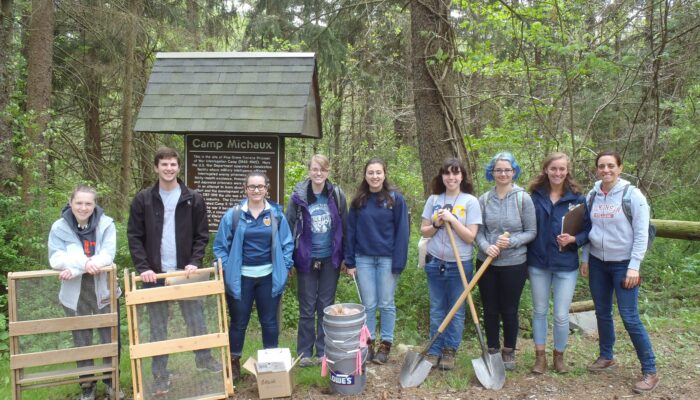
377	246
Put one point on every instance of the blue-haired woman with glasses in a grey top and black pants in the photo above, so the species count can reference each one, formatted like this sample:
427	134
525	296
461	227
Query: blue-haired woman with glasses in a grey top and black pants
505	208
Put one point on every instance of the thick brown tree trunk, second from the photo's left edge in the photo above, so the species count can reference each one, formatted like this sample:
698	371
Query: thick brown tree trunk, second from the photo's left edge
39	66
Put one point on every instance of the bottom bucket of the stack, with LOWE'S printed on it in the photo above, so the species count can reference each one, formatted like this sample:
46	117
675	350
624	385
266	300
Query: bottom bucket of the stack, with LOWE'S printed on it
342	367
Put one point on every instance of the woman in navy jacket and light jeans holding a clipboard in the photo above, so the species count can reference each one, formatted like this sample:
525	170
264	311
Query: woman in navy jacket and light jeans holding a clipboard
552	258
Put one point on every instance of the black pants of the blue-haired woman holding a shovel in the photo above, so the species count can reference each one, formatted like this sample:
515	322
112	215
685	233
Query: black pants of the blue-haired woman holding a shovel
500	289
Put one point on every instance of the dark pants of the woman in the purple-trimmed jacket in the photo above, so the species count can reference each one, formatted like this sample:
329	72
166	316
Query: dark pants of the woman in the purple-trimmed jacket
315	291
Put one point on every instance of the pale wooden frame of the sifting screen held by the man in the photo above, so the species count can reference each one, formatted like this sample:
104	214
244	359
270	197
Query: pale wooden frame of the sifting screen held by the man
219	340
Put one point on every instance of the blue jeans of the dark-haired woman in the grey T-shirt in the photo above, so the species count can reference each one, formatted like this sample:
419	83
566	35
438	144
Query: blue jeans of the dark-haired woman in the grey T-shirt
445	286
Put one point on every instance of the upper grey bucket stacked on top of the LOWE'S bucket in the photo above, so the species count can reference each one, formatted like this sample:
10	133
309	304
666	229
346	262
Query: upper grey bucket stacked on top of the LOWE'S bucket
342	332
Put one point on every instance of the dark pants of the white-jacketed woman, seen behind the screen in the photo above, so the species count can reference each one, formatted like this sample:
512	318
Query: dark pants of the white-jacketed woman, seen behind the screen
87	305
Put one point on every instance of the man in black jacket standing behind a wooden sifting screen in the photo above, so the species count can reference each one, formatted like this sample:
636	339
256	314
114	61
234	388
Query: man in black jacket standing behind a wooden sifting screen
168	231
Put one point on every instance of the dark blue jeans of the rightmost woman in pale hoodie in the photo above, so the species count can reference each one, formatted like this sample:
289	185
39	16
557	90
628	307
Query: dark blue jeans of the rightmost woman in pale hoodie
605	278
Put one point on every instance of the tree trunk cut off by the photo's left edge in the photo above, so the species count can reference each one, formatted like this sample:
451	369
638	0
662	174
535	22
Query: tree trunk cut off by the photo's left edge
8	171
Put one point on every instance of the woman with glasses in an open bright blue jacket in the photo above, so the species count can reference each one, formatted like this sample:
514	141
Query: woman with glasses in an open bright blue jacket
255	246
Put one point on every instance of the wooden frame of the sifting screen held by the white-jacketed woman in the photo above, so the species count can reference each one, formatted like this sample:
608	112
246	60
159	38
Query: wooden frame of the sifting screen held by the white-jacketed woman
17	329
